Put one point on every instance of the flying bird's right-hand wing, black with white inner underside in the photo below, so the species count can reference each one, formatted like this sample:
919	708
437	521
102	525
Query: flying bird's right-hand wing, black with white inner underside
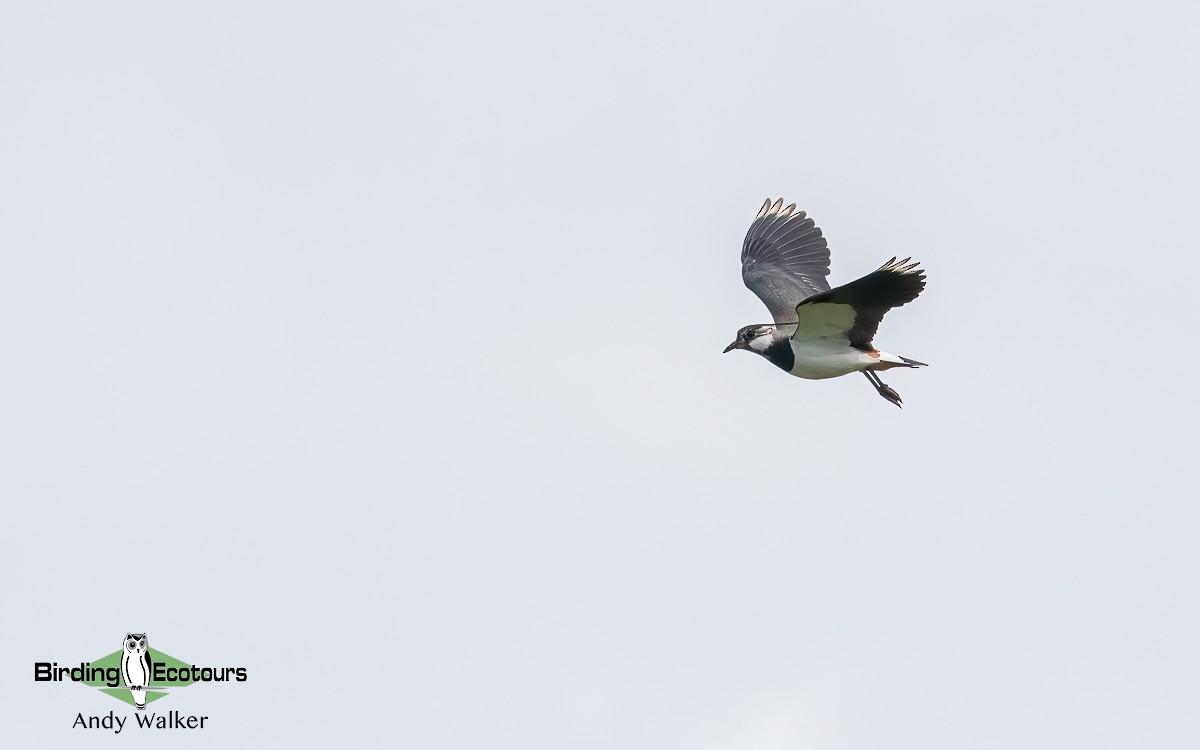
855	310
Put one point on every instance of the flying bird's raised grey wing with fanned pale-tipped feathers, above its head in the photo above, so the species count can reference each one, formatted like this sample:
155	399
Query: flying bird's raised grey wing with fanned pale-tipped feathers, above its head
784	260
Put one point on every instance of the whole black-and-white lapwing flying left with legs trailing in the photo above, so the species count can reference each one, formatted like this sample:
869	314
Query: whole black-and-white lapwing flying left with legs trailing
819	333
